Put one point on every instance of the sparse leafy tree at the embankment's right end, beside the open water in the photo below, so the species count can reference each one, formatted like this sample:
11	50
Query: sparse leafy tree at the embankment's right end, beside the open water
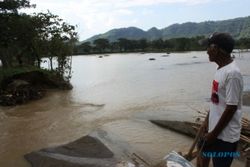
59	37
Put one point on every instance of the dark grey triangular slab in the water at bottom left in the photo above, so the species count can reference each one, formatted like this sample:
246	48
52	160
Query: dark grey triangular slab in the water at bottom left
85	152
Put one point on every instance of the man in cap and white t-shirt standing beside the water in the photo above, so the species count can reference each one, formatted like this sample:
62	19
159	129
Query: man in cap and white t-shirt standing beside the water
224	121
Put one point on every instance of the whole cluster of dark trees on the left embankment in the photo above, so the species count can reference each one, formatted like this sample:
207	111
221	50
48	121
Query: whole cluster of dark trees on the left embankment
27	38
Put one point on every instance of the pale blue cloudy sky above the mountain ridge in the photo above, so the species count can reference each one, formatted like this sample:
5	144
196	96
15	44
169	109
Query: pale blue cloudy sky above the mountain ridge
94	17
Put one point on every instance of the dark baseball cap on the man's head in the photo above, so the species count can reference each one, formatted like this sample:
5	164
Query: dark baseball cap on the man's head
223	40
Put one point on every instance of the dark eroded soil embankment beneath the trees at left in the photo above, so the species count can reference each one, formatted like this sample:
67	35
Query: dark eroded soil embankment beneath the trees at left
25	86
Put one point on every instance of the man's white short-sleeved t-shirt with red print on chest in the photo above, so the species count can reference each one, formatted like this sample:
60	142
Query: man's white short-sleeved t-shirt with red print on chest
227	90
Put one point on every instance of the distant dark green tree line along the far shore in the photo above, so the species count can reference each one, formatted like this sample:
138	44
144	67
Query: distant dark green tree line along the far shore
103	45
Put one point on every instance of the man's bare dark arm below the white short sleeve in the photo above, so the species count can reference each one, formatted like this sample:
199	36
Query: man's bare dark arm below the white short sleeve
222	123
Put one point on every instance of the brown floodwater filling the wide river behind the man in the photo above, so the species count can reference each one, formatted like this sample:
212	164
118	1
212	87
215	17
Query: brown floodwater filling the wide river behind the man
118	93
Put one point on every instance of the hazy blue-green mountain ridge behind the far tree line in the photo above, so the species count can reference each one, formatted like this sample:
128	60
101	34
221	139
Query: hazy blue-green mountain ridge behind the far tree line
238	27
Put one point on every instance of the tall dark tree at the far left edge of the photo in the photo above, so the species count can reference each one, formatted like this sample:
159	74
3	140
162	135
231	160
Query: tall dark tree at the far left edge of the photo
13	28
